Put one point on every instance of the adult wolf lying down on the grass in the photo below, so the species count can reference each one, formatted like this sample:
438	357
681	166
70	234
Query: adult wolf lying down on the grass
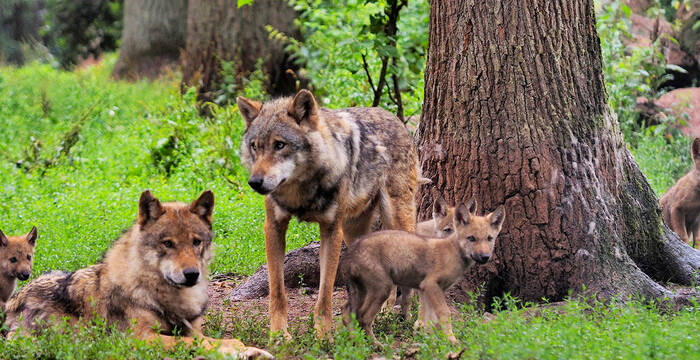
155	274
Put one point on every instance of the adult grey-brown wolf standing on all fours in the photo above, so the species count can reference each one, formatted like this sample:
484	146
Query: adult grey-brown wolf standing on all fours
333	167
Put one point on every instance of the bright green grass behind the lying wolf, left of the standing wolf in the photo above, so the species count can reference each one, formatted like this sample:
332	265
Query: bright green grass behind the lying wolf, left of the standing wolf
84	202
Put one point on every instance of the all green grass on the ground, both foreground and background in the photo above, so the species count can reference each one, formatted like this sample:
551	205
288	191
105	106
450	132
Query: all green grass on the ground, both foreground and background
85	200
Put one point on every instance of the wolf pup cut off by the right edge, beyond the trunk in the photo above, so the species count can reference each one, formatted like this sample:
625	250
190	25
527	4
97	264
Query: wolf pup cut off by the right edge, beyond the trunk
681	203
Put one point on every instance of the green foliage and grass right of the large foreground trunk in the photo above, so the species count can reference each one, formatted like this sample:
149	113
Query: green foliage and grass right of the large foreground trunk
661	151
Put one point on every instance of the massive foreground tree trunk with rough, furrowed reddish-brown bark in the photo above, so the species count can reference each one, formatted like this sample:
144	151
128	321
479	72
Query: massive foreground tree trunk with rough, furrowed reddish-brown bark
515	113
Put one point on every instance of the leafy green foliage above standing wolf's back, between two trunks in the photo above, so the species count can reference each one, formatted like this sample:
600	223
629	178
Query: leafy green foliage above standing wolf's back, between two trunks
338	34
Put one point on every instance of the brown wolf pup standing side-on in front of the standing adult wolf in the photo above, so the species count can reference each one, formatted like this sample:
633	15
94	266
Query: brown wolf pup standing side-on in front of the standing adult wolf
378	261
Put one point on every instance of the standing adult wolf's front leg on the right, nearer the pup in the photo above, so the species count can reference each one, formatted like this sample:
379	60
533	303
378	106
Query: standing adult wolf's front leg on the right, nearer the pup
331	240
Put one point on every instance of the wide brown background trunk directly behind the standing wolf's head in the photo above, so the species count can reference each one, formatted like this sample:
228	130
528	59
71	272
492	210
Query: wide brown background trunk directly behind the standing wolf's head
220	31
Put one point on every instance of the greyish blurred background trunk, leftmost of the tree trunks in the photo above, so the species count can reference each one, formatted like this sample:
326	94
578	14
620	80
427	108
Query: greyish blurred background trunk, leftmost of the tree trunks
153	36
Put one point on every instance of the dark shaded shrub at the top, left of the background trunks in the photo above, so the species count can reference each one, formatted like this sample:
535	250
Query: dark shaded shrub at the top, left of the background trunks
79	29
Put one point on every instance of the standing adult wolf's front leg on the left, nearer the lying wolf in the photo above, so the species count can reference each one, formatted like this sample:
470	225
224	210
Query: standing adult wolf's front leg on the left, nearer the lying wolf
275	243
